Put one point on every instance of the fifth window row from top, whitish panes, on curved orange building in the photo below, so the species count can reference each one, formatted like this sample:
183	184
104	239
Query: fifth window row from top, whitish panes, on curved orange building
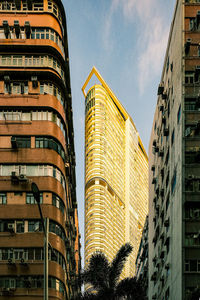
14	115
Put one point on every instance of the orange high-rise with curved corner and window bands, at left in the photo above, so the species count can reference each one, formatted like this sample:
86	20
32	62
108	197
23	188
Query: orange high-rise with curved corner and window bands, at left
36	145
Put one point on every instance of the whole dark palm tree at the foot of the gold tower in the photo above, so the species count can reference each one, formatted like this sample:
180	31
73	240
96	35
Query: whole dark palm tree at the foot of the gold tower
104	278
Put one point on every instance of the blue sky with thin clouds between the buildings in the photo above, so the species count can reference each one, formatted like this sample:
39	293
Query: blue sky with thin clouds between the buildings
126	41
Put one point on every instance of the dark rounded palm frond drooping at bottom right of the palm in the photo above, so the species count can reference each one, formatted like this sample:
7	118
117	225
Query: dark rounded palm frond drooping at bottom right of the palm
131	288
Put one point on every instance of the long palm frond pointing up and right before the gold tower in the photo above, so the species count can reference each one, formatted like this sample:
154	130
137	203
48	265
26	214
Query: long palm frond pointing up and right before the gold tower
118	264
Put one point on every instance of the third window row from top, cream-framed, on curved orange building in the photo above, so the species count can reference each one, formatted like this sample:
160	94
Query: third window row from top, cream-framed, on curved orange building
32	61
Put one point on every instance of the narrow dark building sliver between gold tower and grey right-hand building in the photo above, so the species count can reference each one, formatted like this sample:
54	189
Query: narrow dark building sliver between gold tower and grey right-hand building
142	258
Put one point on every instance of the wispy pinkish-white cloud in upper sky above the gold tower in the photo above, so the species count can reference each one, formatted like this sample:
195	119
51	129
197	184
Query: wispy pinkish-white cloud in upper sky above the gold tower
152	36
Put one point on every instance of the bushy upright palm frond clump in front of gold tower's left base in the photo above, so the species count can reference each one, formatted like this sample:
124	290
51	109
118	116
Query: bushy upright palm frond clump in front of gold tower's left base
97	271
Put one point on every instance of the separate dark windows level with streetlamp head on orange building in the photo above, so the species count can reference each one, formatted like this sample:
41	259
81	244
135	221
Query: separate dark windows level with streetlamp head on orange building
30	199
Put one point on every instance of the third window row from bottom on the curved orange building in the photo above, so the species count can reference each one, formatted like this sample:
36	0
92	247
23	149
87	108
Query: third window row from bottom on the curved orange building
21	226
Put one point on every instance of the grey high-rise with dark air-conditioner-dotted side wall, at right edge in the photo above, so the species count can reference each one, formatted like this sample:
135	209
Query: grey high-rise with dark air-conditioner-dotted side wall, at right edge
174	211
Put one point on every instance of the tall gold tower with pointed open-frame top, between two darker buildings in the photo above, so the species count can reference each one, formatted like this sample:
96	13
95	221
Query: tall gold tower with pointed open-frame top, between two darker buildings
116	175
